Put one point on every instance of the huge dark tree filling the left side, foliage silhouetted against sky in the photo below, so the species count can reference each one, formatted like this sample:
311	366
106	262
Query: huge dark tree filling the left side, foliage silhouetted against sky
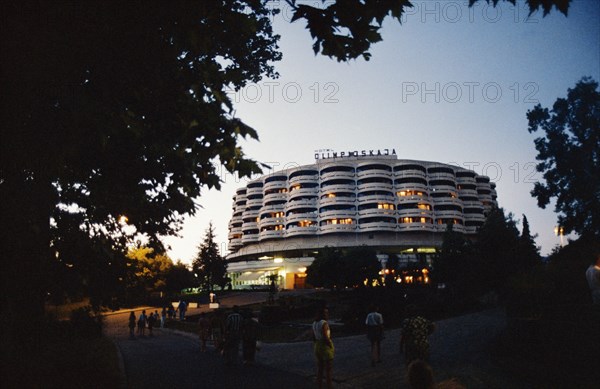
114	111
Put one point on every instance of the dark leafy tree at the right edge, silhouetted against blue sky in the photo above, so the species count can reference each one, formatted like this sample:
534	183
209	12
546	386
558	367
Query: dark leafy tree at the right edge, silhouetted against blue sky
569	155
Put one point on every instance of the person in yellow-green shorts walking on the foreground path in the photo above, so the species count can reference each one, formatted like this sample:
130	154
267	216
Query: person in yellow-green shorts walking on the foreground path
323	347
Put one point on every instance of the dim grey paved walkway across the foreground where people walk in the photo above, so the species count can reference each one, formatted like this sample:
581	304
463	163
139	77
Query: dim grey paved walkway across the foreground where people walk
460	348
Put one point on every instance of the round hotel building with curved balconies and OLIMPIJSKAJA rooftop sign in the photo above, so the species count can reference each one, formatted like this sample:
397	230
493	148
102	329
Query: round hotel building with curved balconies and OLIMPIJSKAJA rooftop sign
398	207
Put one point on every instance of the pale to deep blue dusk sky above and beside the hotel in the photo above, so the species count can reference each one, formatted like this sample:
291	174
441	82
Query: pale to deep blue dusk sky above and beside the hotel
450	84
